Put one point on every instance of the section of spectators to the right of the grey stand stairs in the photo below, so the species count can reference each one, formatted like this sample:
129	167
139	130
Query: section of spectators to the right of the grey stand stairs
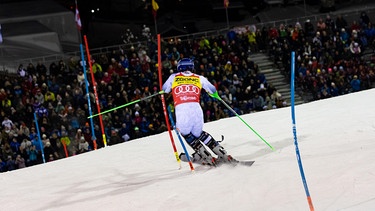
331	56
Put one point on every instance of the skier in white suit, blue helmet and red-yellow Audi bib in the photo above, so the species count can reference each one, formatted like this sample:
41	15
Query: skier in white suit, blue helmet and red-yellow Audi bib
186	90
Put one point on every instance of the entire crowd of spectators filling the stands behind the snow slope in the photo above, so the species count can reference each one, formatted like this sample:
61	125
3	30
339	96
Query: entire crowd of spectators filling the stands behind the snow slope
56	95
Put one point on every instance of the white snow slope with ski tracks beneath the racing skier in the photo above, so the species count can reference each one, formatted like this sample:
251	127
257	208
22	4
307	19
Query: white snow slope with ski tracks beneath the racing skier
336	140
